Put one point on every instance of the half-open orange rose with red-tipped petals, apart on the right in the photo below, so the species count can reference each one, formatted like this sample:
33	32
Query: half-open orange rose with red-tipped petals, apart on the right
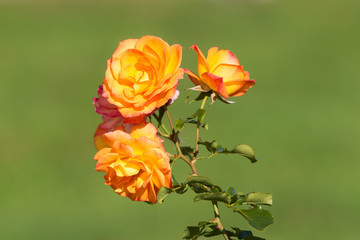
220	72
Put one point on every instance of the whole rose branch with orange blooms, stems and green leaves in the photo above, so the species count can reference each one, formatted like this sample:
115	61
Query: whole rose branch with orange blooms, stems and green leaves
140	83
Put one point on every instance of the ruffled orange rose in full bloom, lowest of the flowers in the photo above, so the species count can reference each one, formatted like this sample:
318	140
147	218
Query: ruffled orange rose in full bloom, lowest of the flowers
136	162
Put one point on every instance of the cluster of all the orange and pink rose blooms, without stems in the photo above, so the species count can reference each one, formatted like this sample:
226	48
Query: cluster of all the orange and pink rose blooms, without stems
141	76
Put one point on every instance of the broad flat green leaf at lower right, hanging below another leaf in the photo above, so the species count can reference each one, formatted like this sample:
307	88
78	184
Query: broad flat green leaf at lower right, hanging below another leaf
257	217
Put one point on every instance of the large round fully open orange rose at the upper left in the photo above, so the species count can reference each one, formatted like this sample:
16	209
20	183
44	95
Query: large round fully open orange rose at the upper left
142	75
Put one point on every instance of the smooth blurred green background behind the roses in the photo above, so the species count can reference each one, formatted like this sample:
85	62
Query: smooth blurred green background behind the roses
302	117
